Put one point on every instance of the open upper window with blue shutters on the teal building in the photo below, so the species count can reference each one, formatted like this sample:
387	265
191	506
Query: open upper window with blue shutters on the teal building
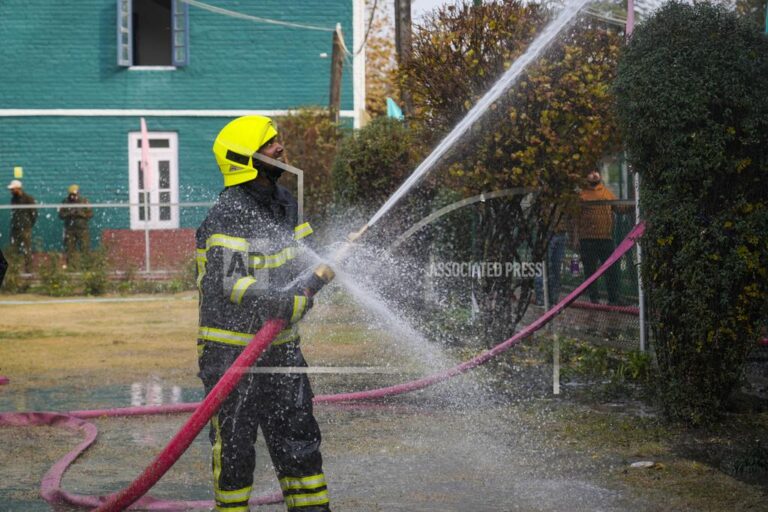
152	33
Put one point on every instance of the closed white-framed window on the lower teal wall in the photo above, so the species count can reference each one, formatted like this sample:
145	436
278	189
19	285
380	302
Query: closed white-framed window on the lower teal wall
155	194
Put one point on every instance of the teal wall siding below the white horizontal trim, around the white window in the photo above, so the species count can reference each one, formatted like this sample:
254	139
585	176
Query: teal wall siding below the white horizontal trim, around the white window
56	152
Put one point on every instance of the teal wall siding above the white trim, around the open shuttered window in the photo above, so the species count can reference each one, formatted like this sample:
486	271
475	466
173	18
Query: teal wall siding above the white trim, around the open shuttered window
63	55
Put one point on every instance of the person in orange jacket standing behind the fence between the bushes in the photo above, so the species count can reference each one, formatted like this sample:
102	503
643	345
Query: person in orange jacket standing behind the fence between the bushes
594	235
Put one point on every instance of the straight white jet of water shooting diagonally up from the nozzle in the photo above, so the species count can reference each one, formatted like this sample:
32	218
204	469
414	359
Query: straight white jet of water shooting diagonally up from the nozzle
569	11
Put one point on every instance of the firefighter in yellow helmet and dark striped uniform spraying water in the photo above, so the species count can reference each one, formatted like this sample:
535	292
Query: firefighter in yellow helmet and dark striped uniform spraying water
248	252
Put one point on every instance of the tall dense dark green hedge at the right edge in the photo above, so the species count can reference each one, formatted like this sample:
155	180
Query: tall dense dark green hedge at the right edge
692	96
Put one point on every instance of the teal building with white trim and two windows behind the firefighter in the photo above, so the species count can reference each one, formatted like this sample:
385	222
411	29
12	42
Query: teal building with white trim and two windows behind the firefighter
79	76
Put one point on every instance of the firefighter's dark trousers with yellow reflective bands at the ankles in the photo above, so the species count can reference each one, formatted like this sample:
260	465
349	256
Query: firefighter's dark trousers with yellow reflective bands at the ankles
280	404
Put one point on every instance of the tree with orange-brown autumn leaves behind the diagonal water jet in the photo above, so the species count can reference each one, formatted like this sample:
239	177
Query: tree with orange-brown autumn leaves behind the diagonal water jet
545	133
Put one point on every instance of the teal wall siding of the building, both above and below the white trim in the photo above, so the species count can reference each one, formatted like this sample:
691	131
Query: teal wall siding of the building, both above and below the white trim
62	55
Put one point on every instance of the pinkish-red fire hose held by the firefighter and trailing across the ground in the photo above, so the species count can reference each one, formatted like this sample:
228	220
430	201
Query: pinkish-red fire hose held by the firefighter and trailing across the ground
50	487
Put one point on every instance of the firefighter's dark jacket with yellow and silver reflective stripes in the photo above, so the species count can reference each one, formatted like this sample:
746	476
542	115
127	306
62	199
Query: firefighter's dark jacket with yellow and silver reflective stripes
247	263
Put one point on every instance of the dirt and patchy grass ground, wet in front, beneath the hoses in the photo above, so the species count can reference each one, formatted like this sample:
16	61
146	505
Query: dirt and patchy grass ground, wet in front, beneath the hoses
472	444
